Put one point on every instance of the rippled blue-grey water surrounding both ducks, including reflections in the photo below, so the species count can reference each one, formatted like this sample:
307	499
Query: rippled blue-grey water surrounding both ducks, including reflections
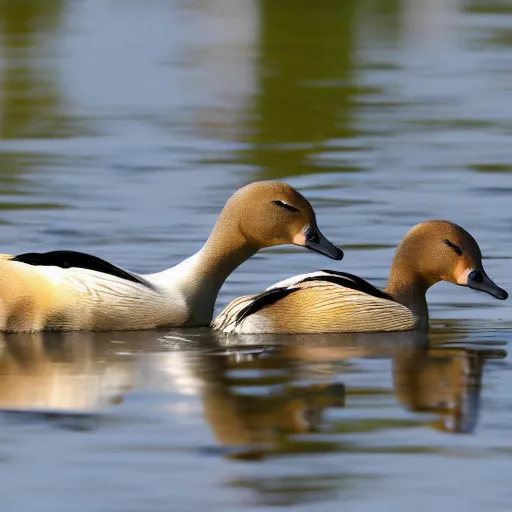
124	126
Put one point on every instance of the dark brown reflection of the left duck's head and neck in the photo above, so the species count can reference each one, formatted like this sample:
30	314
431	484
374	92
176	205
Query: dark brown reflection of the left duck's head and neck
253	404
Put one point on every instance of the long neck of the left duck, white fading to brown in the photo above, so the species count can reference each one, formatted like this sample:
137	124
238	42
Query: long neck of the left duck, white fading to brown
200	277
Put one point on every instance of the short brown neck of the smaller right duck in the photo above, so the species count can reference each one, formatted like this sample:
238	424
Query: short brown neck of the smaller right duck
409	288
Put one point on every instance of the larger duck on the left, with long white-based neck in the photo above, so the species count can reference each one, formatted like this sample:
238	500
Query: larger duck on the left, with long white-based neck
74	291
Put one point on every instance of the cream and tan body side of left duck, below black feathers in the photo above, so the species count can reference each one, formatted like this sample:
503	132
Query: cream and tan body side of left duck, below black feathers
49	297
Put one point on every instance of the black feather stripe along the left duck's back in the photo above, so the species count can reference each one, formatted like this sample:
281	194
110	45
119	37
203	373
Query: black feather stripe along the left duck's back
74	259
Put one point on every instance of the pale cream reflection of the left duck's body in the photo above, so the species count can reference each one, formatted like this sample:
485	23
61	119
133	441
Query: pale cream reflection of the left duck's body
87	371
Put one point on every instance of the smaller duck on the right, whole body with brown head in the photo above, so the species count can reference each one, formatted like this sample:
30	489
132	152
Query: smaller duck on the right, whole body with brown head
328	301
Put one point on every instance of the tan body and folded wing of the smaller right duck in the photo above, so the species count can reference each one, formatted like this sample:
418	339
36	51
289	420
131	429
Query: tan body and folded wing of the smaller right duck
324	301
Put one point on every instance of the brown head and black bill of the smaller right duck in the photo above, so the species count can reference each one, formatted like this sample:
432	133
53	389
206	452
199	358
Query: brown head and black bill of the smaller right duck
442	250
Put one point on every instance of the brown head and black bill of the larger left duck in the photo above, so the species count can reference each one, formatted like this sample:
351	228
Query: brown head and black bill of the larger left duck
270	213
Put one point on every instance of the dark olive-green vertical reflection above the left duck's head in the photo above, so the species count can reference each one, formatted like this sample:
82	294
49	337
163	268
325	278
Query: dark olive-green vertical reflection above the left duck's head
306	85
